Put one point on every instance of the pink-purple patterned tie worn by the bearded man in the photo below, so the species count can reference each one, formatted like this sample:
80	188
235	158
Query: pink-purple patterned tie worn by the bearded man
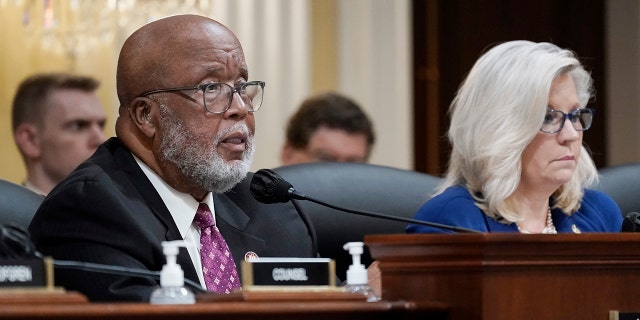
218	268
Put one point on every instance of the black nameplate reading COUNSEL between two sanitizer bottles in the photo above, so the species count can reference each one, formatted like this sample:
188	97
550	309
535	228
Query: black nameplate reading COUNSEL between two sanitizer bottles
298	272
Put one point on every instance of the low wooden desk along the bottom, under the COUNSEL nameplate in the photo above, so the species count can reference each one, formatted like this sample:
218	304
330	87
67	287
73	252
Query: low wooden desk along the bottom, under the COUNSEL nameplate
245	306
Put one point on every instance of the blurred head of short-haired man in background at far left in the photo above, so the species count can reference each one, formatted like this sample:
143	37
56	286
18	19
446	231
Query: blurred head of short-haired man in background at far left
58	122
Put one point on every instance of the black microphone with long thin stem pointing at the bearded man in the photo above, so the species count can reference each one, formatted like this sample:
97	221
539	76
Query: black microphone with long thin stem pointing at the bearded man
269	187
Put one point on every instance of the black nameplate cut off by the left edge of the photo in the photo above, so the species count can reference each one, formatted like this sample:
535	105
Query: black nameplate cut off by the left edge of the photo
22	273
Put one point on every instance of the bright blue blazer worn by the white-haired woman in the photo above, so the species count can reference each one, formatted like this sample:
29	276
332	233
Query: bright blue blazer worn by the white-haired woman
455	206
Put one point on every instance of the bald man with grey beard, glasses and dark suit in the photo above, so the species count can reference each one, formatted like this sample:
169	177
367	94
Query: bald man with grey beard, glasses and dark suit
184	138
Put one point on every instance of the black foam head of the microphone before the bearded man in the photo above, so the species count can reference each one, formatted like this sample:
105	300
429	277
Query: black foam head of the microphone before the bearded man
269	187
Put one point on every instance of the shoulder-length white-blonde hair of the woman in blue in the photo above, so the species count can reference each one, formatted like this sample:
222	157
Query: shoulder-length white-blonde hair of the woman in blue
497	112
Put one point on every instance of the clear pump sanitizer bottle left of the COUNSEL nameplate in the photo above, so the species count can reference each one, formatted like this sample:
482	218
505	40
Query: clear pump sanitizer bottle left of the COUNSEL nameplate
172	289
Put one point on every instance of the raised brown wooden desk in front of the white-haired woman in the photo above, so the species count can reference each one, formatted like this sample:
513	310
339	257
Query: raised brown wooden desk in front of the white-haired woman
513	276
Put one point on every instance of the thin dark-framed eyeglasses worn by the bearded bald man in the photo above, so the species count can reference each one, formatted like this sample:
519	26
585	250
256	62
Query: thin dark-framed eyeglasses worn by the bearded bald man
217	96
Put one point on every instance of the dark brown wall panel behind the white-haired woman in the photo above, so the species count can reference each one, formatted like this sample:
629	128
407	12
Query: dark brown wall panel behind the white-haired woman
450	35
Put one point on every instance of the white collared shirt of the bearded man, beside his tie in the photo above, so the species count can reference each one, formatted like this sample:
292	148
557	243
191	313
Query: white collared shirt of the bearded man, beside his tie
182	206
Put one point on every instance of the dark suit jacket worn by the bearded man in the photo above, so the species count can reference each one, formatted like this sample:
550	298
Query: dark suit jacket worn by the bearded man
108	212
